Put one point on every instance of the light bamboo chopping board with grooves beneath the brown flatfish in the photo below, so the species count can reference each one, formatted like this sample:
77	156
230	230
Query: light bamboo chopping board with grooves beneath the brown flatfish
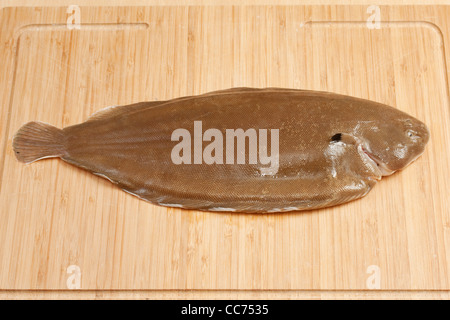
59	223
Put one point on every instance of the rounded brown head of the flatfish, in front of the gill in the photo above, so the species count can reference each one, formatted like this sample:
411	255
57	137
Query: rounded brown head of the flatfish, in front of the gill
395	142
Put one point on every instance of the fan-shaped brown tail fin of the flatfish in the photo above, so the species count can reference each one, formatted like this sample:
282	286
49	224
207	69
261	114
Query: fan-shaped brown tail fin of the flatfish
37	140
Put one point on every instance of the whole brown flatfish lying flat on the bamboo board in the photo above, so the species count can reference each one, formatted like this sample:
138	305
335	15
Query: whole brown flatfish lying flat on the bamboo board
332	148
